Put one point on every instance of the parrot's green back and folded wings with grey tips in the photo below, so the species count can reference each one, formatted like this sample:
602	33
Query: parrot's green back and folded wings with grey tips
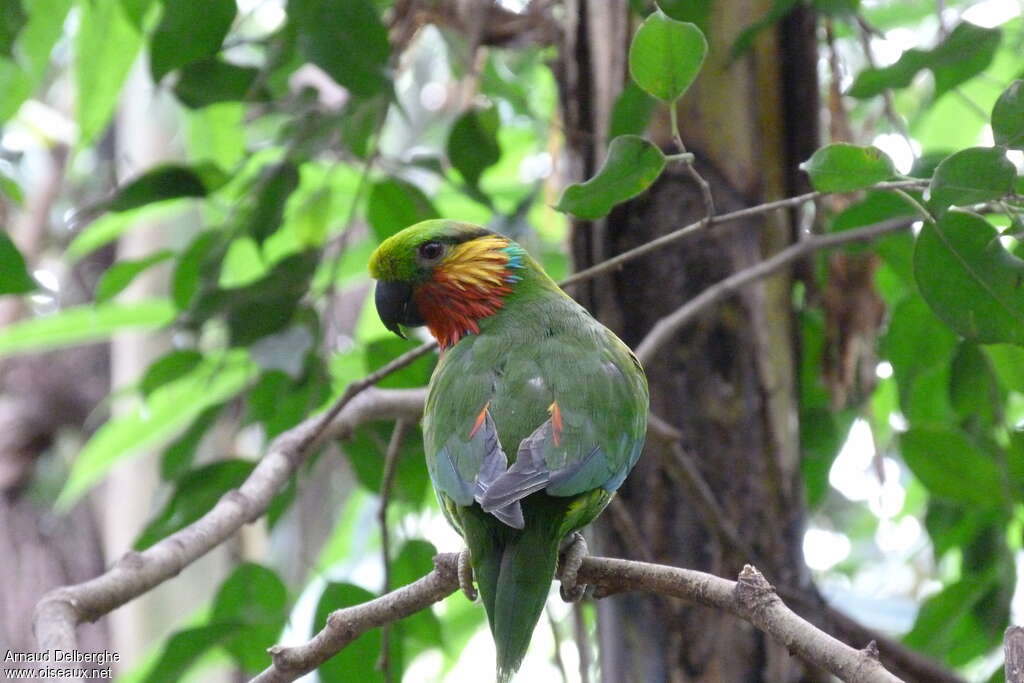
575	405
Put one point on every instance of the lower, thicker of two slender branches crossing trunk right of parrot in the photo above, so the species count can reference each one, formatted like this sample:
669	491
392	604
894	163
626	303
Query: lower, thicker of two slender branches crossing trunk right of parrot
664	330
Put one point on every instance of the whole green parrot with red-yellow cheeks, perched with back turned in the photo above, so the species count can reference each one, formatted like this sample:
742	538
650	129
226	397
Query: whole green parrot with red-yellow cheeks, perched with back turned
526	375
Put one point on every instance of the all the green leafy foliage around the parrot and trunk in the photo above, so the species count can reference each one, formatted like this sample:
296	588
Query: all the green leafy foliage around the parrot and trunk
307	138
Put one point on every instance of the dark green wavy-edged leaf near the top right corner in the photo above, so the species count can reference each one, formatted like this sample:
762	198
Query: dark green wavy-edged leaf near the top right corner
966	53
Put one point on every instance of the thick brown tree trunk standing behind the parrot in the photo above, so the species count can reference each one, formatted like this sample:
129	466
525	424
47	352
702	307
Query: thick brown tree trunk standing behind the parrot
728	382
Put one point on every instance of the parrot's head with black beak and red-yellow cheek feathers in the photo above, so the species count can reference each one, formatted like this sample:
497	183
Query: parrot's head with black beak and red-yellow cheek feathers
446	275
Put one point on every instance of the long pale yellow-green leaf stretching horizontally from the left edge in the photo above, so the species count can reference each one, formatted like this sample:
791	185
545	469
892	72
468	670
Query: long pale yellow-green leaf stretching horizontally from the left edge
81	325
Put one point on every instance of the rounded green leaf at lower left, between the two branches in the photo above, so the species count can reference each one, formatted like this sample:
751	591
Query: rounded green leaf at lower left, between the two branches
254	596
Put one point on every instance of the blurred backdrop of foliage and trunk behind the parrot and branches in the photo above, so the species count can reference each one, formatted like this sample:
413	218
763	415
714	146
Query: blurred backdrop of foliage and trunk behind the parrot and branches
190	191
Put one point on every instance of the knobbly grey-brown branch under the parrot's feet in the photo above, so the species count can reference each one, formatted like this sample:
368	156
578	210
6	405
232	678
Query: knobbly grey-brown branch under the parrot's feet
751	599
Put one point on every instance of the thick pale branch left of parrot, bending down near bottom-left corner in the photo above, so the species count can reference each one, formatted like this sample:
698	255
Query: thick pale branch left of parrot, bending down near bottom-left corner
61	611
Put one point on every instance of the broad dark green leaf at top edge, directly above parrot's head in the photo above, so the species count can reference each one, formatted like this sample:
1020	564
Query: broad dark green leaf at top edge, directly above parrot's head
348	40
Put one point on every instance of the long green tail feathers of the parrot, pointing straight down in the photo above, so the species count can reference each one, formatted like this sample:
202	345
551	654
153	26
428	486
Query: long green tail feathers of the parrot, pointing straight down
514	571
